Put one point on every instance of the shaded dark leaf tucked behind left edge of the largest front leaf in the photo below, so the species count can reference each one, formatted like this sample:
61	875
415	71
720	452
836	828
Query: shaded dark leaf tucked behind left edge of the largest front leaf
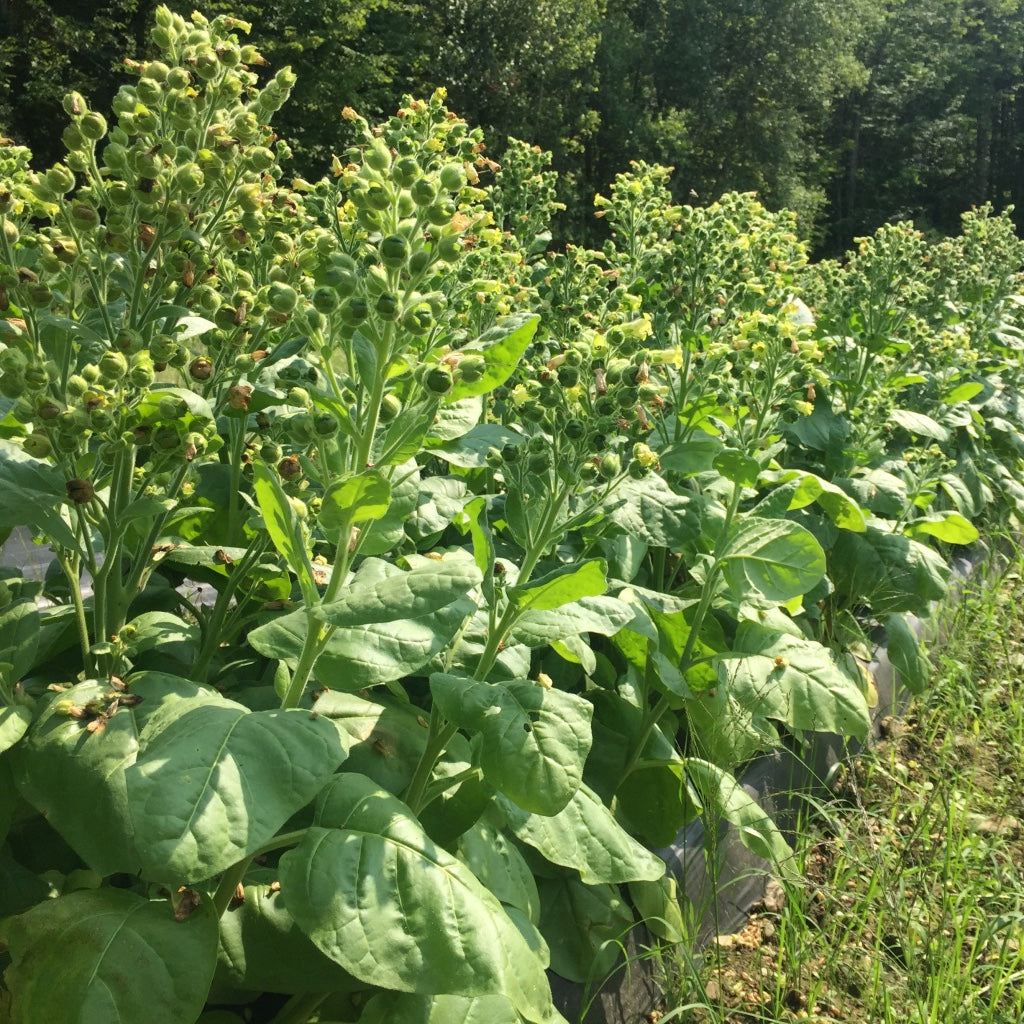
264	950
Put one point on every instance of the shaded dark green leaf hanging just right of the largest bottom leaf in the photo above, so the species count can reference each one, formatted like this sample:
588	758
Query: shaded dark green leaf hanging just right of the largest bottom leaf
584	926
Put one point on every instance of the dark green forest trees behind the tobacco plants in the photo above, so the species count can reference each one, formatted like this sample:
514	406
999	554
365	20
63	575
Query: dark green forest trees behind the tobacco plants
851	114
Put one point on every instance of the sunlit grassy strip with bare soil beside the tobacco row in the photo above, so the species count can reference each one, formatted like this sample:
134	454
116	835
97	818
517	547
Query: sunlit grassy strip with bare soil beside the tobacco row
911	905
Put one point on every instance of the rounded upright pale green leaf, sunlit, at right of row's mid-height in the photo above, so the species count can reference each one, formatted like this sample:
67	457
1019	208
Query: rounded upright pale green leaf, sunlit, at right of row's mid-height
775	559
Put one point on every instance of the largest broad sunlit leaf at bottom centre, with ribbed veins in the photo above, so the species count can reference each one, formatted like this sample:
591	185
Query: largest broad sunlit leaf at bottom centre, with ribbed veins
378	898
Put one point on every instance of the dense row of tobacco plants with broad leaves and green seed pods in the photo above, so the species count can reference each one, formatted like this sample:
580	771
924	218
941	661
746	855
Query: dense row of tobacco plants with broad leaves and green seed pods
409	583
